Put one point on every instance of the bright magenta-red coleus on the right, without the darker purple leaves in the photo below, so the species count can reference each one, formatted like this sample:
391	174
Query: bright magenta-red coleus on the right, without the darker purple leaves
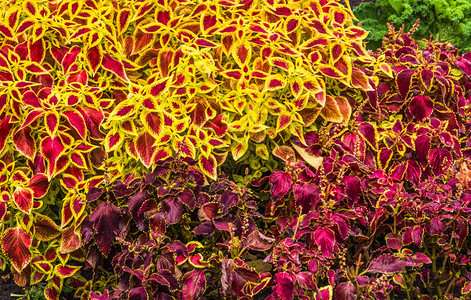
393	189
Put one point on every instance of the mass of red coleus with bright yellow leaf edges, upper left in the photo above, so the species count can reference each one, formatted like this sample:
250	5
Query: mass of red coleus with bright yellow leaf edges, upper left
118	86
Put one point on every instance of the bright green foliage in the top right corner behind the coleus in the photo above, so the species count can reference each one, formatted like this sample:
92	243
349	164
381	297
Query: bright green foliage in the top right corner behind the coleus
444	20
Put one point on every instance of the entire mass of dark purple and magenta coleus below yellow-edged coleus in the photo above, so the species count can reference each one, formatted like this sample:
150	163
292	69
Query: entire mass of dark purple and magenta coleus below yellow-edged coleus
378	217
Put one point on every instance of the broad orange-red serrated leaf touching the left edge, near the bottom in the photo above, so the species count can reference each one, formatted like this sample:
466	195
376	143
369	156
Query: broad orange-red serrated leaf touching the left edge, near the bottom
16	245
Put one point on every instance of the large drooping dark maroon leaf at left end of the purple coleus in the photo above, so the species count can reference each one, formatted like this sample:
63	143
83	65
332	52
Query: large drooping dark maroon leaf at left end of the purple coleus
104	219
